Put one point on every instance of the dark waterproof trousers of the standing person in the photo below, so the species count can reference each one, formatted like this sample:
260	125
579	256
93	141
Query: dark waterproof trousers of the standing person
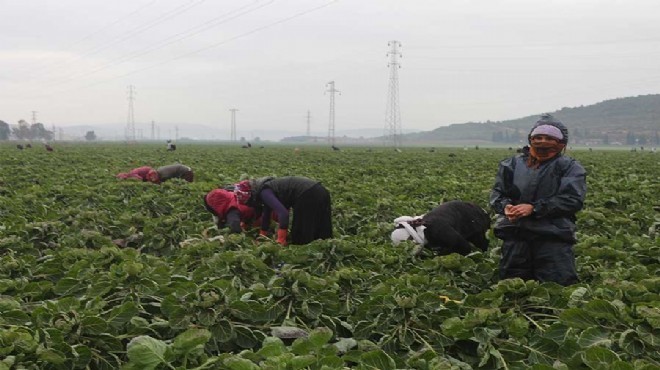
538	259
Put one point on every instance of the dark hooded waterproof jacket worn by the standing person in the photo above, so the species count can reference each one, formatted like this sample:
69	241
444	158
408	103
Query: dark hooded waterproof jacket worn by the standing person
556	189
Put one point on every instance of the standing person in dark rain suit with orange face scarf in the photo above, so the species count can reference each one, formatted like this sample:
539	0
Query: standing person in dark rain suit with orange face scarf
536	196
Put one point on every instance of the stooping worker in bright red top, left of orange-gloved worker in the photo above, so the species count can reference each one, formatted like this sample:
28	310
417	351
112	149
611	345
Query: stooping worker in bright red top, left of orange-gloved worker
226	210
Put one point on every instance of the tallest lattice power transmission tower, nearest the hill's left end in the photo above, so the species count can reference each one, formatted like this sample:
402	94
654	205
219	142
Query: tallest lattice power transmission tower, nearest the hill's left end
392	113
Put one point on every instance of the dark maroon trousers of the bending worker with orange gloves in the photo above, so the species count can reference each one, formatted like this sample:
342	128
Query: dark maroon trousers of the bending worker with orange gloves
312	216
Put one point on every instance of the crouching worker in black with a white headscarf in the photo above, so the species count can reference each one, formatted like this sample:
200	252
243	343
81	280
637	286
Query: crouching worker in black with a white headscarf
451	227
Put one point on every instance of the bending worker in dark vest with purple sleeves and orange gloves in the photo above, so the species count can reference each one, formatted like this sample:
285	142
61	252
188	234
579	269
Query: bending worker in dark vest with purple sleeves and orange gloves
308	199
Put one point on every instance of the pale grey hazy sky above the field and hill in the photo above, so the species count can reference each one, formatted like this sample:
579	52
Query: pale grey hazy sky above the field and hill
192	60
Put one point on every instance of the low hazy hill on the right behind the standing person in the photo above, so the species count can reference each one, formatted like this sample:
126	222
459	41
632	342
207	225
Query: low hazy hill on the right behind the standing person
625	121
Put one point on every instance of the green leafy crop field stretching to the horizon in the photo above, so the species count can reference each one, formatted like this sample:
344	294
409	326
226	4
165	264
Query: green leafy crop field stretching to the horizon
99	273
